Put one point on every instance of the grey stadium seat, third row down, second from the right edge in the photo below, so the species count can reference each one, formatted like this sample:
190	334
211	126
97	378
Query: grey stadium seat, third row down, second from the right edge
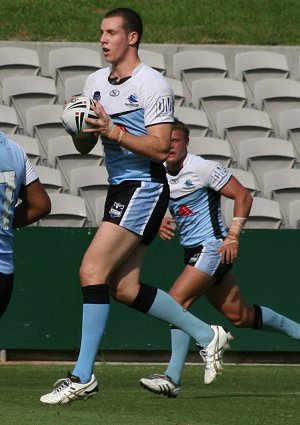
238	124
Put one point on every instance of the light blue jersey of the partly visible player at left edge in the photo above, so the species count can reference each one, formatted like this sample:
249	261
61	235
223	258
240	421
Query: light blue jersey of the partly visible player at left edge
15	172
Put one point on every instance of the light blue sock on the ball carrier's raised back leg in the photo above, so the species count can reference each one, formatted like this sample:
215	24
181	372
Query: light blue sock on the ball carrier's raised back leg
164	307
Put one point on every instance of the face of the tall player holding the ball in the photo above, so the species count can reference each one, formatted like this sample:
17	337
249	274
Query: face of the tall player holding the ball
114	40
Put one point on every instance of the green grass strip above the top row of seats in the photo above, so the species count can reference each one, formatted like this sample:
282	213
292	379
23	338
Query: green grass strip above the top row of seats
253	22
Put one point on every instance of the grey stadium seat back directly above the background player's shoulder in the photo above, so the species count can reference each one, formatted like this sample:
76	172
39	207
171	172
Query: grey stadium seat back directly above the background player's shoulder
211	148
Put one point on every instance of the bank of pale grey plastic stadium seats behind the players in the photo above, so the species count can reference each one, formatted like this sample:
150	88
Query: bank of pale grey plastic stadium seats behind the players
250	123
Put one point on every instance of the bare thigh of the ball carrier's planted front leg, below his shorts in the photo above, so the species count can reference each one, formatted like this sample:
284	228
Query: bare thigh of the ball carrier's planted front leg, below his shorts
110	247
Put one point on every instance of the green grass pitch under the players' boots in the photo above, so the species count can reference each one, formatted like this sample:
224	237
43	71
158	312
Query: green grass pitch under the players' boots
242	395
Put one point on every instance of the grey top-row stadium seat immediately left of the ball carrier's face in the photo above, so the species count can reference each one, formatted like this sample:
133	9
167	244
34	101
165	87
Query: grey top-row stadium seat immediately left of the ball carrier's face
69	61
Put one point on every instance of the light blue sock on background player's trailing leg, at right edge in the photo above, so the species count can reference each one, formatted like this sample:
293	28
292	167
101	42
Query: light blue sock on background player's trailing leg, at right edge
272	321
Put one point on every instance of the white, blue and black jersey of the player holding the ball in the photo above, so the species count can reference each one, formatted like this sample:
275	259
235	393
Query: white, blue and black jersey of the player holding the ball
144	99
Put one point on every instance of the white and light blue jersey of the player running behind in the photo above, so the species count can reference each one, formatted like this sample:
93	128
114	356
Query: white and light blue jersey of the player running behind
195	201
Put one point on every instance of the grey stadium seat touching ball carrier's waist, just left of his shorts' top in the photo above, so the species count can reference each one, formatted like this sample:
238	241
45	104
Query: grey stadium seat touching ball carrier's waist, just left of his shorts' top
90	183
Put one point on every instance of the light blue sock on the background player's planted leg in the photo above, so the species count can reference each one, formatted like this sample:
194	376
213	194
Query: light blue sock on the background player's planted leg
180	342
